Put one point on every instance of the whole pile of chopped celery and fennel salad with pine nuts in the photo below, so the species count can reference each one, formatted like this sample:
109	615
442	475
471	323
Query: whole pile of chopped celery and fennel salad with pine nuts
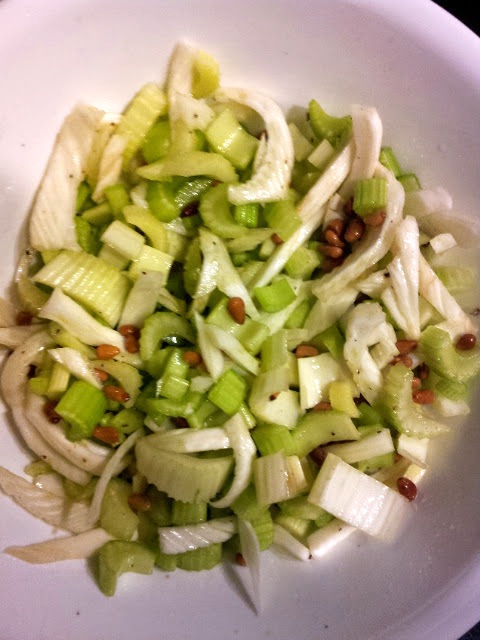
230	331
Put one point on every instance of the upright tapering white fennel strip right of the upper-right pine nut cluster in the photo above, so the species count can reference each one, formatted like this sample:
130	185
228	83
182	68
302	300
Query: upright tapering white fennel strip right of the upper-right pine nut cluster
401	297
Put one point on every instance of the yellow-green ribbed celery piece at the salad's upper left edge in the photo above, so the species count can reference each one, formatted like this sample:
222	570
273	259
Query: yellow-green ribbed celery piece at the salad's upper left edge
146	106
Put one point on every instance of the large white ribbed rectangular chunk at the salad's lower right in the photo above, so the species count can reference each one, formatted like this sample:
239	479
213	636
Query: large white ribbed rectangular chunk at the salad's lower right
356	498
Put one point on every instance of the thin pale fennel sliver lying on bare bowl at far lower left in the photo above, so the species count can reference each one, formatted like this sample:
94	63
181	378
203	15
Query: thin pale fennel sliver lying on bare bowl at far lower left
77	547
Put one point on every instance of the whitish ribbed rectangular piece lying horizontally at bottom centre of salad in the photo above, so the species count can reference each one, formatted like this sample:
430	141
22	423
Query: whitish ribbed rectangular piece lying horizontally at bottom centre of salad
184	538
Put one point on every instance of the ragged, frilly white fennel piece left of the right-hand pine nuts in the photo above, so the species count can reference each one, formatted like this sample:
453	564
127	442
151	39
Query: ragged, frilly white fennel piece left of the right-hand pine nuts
366	325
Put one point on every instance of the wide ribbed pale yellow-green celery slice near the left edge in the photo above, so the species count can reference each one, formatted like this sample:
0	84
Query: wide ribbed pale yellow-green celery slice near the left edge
101	287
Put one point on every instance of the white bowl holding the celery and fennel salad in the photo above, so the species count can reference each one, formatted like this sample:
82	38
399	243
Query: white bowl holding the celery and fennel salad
421	69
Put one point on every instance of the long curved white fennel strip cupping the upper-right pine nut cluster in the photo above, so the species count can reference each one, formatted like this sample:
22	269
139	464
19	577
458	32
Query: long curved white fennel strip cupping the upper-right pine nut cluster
371	248
